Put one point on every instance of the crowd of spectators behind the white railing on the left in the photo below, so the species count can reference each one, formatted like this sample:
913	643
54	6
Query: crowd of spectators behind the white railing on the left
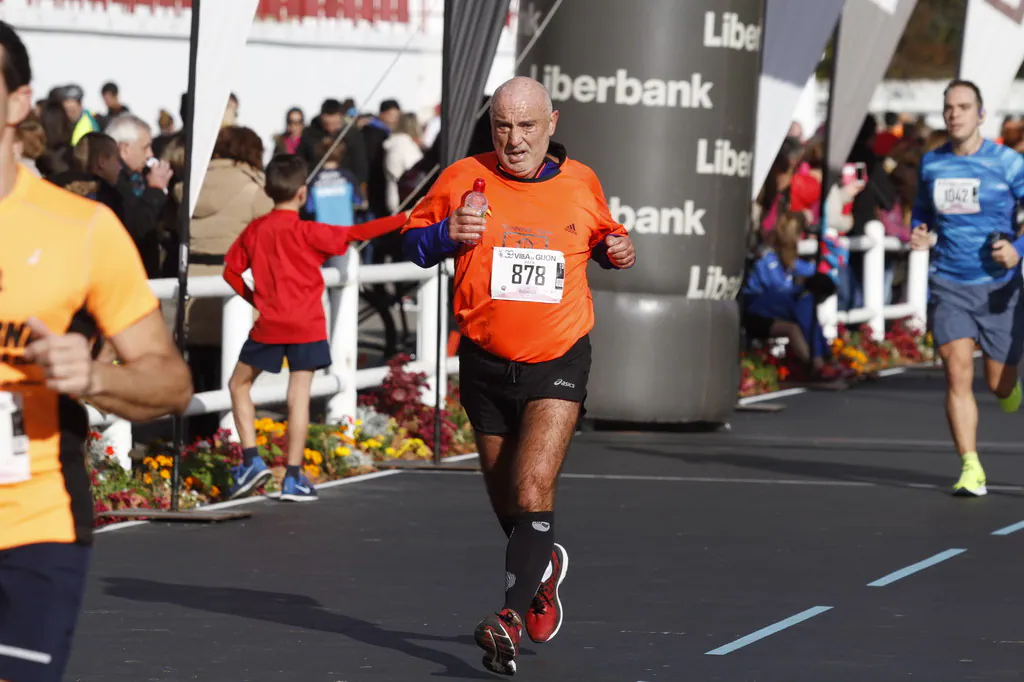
118	159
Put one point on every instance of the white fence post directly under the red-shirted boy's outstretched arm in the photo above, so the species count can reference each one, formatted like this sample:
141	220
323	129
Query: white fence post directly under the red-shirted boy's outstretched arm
345	336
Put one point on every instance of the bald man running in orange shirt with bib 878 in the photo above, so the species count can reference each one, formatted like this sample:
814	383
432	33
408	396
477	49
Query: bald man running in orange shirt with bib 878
524	307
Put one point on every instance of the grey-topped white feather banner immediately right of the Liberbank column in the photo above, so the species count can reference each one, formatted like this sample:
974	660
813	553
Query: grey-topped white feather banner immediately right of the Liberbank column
796	35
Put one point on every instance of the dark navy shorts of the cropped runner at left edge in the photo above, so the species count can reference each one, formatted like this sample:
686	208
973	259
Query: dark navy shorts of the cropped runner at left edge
41	588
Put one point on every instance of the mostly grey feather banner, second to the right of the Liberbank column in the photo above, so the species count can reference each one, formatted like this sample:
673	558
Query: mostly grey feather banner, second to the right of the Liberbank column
868	38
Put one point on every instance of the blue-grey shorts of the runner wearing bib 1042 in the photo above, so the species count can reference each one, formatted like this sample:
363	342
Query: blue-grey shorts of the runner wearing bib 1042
993	315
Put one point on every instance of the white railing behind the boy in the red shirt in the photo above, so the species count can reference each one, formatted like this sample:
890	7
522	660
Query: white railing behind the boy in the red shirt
340	382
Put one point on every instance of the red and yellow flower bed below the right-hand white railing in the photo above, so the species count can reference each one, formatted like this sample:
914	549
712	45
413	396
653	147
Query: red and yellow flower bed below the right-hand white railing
763	372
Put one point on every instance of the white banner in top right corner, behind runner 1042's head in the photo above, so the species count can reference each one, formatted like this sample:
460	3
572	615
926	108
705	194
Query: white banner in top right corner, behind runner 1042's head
993	53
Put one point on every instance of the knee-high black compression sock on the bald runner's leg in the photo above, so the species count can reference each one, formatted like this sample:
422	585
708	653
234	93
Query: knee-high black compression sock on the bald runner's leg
527	559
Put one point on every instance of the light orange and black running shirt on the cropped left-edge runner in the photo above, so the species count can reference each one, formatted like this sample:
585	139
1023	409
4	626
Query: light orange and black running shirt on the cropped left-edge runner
62	255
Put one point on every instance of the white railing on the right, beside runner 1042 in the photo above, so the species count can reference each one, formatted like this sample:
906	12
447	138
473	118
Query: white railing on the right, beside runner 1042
874	244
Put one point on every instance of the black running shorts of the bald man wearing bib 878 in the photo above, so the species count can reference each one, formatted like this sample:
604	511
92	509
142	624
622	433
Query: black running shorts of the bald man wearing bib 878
495	392
